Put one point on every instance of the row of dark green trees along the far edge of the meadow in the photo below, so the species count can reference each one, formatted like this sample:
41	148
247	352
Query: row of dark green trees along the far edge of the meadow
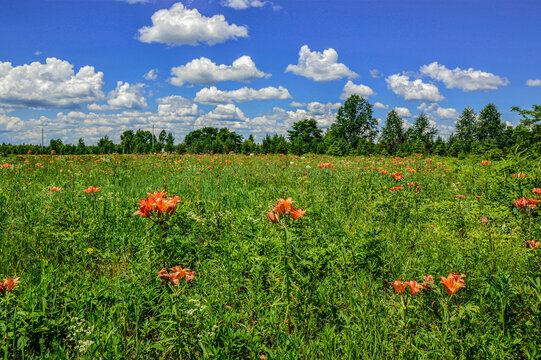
355	132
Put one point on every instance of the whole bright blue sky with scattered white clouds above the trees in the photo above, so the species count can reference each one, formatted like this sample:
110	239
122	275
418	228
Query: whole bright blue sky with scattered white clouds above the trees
89	68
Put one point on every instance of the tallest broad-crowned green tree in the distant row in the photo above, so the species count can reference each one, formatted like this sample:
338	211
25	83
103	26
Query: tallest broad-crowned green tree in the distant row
354	121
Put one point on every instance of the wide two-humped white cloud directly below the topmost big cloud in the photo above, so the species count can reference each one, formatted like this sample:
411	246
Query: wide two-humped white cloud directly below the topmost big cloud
203	71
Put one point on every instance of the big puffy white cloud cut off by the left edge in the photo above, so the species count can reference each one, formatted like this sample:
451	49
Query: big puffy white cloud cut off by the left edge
50	85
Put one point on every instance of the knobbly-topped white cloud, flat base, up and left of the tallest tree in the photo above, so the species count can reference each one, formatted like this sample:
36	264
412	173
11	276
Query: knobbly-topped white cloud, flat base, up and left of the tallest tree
320	67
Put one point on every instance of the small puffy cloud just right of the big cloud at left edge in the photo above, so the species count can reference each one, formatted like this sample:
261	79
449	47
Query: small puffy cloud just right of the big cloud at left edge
125	96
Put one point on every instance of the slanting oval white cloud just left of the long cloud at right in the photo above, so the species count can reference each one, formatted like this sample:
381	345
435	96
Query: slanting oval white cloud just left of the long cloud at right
413	90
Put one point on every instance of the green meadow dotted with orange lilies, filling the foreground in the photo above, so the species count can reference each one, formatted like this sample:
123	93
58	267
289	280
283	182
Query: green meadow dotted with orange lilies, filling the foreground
269	257
